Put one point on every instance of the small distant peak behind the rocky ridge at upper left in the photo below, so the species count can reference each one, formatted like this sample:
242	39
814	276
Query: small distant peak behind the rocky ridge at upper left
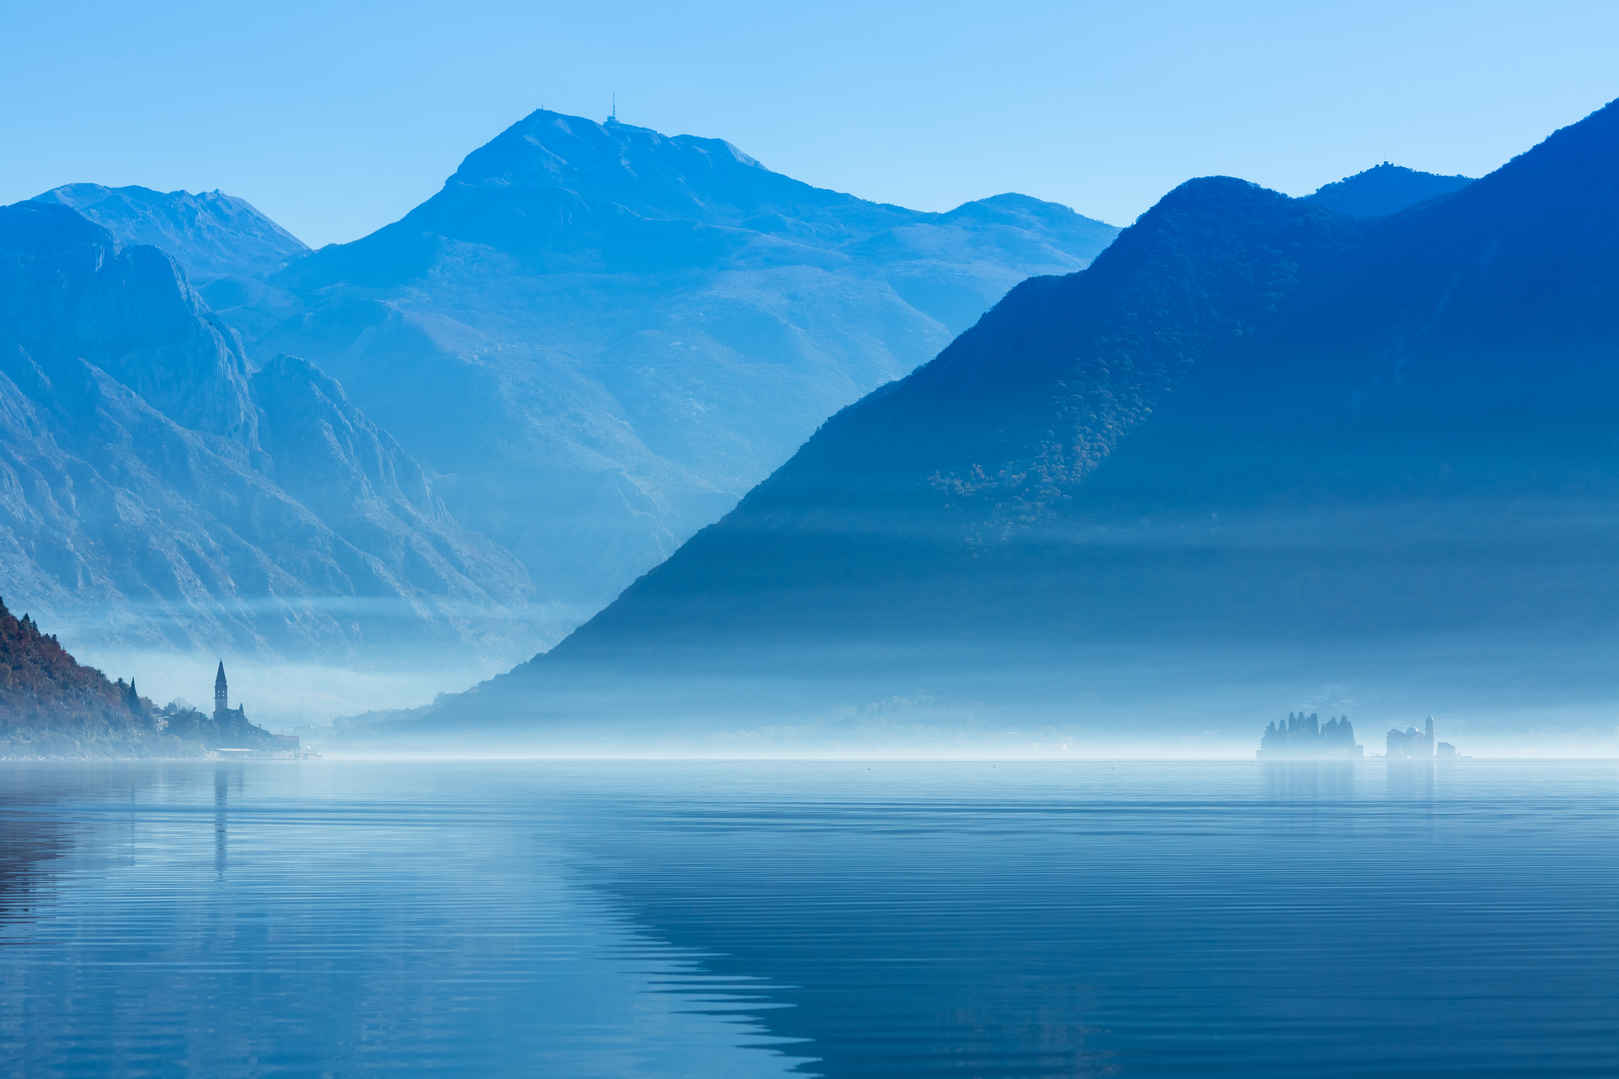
210	234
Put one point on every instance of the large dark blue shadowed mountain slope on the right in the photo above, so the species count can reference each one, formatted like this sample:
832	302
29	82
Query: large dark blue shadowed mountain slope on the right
1259	451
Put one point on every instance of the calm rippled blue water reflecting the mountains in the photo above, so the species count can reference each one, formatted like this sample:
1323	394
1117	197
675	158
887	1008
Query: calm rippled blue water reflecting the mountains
760	919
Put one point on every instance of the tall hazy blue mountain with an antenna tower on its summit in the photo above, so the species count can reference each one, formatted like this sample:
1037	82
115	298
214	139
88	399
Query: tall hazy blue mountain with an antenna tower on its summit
601	336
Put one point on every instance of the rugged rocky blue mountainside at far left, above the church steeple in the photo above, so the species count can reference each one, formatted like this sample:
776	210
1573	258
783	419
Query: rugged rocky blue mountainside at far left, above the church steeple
156	490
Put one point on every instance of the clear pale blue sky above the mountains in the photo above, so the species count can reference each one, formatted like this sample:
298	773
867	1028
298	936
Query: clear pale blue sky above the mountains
339	117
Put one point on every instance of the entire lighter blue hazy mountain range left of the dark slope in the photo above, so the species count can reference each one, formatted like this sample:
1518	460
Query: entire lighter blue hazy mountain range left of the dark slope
504	406
